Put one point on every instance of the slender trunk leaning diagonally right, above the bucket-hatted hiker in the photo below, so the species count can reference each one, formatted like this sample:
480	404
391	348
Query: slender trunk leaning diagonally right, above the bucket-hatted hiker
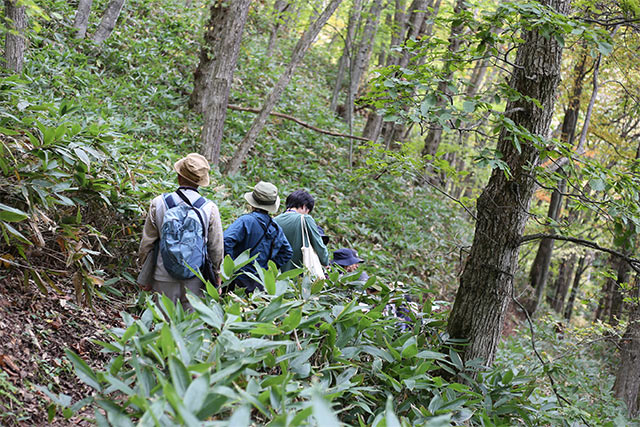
296	57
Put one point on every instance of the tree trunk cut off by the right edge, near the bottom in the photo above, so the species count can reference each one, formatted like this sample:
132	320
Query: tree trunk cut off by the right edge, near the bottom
627	381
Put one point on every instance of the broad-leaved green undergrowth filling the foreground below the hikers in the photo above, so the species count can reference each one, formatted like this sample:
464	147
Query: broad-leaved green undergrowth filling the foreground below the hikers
300	353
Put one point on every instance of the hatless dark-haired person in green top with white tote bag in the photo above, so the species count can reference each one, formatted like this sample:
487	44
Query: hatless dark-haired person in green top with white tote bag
299	205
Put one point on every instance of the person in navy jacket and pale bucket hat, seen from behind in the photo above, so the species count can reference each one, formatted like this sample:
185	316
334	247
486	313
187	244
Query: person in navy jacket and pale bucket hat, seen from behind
258	232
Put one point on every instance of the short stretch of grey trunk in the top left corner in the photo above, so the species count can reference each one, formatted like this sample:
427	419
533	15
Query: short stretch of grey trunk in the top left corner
15	42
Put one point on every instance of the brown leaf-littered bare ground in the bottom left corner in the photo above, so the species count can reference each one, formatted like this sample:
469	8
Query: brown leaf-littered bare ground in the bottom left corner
35	329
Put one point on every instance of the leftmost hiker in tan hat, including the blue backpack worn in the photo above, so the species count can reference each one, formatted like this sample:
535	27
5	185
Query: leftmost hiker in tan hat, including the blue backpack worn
163	225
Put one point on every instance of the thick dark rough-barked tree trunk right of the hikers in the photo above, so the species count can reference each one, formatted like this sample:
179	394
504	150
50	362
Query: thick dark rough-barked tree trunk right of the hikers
486	283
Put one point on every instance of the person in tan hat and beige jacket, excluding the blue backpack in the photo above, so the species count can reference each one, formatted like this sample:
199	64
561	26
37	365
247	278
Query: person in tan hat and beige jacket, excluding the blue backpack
193	172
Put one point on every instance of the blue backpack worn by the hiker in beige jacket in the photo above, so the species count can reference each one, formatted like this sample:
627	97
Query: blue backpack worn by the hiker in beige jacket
182	241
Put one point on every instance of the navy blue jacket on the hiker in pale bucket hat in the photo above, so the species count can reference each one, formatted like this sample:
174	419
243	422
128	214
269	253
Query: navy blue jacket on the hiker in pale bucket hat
247	230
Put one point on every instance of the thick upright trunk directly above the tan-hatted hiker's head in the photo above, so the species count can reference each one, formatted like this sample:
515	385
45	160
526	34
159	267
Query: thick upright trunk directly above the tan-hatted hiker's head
214	76
